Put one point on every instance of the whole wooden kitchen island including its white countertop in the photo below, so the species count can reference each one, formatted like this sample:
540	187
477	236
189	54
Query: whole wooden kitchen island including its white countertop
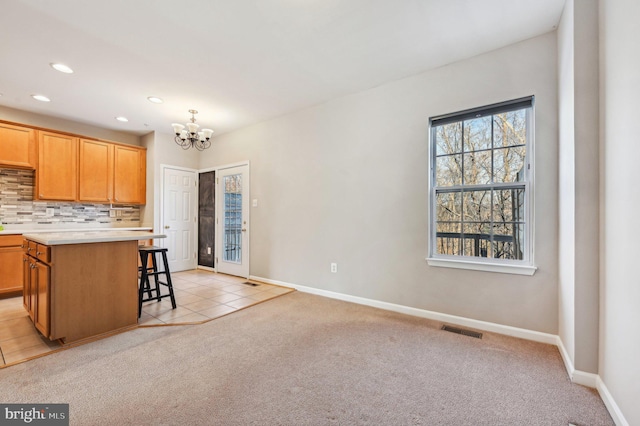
79	285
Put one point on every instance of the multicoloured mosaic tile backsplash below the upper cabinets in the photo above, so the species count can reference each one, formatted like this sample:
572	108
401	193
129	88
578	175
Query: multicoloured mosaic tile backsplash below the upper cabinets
17	207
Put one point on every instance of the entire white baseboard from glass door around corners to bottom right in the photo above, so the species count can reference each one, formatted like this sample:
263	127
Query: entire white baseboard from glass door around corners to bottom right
579	377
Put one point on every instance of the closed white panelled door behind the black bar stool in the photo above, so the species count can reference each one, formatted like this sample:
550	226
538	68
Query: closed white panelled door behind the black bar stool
180	194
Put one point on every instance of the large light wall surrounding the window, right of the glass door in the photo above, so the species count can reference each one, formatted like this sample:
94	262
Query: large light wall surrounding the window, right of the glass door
346	182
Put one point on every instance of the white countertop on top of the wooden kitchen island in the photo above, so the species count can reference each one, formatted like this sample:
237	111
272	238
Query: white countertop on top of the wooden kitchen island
83	237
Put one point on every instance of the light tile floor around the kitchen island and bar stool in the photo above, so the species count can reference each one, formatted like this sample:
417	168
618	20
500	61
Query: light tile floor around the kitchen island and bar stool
200	295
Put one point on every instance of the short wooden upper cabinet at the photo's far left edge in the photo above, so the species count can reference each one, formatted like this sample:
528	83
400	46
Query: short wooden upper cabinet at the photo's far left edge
17	147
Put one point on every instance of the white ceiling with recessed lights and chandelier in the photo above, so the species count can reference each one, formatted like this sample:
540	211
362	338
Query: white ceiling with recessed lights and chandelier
237	62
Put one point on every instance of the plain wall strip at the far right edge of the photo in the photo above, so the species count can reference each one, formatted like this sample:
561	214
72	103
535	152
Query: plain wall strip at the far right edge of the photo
620	286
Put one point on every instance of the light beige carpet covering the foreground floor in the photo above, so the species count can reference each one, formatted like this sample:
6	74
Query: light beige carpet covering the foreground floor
302	359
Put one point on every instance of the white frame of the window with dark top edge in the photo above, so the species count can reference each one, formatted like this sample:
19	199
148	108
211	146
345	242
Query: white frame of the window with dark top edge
520	267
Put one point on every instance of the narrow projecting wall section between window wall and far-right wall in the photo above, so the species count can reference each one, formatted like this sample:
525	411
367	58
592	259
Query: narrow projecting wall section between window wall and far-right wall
579	183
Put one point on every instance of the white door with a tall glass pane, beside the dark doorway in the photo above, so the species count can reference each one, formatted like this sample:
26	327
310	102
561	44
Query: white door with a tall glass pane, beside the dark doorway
232	221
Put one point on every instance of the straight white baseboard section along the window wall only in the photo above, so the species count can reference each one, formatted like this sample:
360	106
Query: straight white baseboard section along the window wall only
423	313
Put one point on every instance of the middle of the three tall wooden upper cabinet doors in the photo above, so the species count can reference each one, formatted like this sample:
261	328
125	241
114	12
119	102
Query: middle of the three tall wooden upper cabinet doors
95	171
